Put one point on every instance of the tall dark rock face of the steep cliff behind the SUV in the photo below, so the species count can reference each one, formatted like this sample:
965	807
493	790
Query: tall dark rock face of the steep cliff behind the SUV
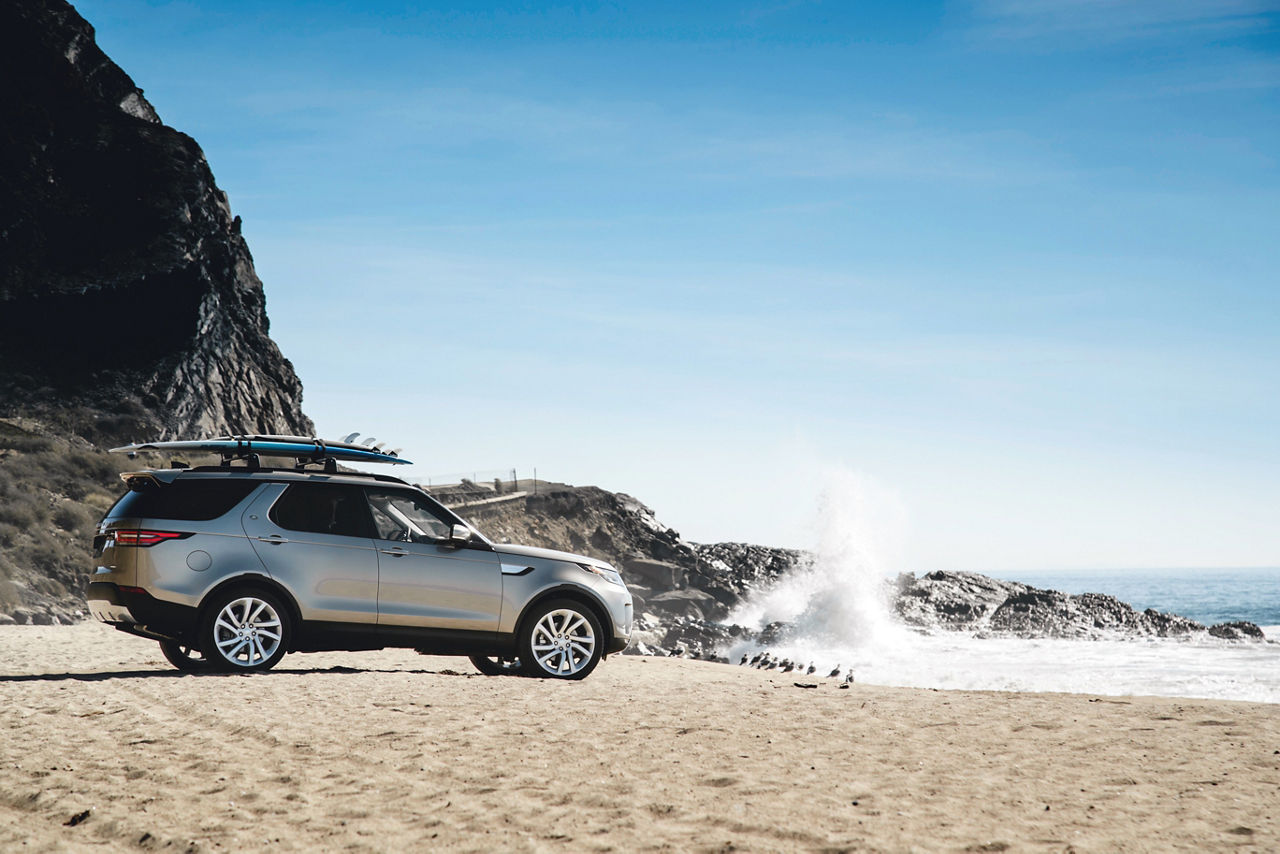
129	302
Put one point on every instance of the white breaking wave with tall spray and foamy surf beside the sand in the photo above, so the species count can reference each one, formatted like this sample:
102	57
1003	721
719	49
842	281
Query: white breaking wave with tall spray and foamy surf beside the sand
839	605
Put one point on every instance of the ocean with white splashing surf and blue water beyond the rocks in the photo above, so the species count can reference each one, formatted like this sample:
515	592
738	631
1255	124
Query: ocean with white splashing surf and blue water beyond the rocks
843	620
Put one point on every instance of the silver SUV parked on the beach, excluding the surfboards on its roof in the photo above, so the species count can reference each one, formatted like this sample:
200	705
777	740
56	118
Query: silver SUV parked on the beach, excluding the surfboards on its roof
231	568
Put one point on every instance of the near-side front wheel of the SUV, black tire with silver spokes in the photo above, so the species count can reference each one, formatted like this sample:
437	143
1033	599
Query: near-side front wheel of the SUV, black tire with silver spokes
554	641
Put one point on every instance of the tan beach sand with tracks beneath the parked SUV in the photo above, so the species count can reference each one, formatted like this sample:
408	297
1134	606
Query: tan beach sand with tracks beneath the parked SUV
396	752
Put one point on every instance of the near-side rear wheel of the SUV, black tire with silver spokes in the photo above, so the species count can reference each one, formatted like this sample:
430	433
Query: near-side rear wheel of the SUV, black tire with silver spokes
246	631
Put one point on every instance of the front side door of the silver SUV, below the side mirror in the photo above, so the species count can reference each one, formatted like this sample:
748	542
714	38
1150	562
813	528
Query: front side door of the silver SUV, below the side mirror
424	581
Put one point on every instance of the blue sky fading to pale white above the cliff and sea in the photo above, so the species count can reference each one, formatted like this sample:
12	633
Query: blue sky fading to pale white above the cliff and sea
1014	262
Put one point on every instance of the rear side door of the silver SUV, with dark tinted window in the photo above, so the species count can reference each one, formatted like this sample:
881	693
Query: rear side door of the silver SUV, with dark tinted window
316	540
